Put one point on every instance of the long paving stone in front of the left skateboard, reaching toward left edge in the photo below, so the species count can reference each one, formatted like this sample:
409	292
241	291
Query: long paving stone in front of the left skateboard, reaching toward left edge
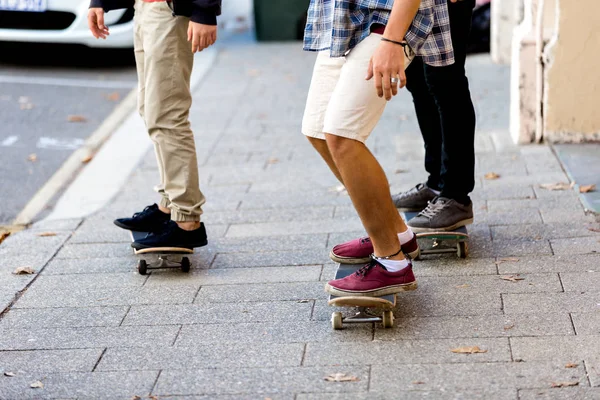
103	296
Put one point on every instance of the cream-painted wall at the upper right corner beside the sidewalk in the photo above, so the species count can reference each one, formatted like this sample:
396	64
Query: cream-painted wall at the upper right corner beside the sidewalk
572	81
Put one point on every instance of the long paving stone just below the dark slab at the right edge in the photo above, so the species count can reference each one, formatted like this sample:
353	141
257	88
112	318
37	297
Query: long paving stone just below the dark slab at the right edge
541	231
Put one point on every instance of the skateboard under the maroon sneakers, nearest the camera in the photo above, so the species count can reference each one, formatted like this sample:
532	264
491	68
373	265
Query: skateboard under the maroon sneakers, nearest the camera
385	303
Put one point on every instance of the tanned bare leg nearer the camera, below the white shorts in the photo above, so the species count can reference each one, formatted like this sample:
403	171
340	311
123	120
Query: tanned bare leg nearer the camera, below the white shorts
369	190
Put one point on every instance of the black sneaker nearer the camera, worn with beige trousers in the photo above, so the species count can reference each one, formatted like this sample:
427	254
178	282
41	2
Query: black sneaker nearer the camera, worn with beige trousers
173	236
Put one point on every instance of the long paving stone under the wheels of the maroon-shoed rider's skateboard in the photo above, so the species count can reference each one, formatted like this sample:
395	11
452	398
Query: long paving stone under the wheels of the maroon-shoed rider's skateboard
290	328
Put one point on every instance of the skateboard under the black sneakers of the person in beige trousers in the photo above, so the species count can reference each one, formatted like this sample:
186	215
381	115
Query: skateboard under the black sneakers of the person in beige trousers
161	257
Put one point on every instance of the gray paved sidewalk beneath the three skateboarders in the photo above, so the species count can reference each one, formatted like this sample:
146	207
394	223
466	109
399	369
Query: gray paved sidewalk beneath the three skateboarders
251	320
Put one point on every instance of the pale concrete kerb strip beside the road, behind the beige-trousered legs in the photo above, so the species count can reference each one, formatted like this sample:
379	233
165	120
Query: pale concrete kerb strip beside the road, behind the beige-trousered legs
111	167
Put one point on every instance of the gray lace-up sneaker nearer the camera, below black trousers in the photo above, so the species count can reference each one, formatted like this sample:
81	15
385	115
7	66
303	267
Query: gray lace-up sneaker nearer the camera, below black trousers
442	214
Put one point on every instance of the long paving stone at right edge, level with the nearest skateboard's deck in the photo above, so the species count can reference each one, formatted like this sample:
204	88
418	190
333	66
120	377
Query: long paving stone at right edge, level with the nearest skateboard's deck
551	302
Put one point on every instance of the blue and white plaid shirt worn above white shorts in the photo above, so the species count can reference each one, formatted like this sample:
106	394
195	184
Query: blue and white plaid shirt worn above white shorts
428	36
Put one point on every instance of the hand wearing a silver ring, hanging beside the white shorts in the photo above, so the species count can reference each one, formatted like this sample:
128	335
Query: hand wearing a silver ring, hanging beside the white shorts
387	63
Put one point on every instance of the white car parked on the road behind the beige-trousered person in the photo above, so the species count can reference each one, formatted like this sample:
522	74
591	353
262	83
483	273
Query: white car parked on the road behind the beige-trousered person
61	21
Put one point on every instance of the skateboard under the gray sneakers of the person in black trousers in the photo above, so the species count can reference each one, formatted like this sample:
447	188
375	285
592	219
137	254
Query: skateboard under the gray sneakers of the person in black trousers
458	238
